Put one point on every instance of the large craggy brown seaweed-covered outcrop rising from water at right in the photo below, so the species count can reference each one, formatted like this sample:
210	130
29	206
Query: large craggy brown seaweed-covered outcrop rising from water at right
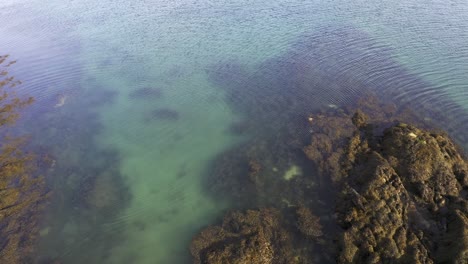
402	193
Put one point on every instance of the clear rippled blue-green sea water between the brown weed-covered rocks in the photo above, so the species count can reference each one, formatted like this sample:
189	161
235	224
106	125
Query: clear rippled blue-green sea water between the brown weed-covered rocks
136	100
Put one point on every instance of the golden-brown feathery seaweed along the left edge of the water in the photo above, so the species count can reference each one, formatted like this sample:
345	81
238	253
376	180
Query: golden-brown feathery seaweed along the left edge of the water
23	193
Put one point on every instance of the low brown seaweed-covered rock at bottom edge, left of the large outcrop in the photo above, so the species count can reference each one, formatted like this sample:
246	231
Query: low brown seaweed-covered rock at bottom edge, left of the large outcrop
253	237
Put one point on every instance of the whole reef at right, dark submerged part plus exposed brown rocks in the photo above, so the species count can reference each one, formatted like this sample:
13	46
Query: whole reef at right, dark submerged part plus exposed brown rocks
344	162
